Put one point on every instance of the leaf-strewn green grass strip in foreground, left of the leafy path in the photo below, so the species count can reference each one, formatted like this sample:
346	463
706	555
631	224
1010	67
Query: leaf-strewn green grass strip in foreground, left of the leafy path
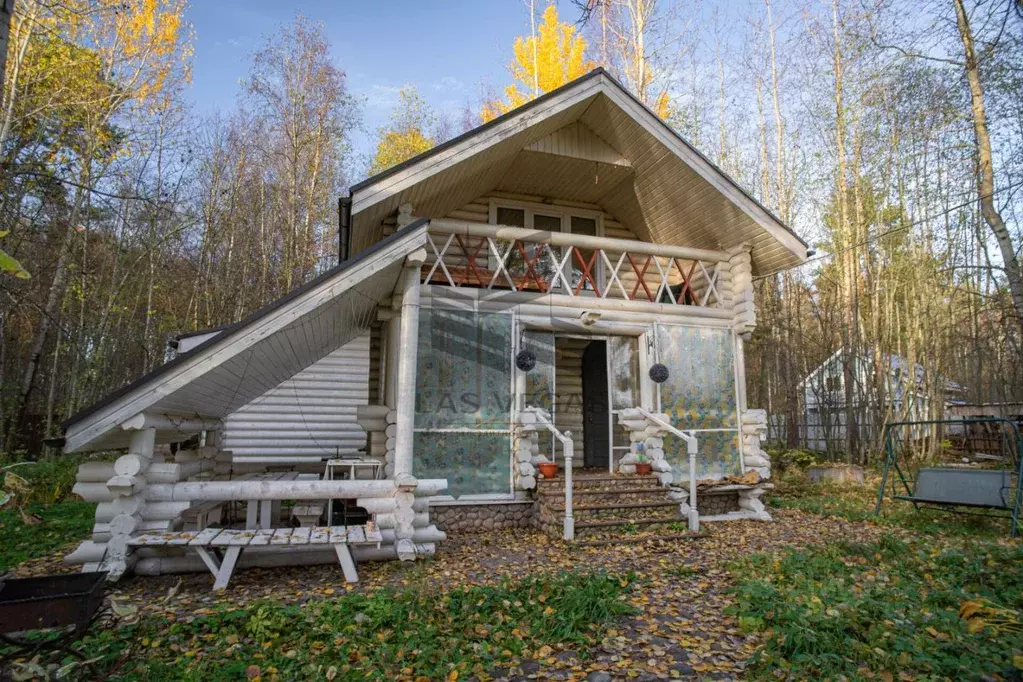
375	636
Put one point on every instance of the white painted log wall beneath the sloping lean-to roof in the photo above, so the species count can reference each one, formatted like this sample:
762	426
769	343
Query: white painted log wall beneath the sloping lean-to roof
309	417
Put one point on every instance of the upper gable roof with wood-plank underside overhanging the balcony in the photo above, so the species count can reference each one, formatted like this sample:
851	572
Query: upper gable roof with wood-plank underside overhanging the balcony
590	142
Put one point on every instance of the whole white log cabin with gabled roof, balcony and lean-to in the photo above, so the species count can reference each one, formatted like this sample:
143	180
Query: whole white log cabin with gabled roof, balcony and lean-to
571	283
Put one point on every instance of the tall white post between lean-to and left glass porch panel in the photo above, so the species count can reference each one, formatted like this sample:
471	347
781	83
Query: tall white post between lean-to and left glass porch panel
409	350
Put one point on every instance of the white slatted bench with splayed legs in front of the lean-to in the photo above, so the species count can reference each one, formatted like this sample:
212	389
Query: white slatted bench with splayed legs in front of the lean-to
232	542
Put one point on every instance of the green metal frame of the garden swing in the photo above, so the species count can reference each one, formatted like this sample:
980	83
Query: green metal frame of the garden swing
1013	467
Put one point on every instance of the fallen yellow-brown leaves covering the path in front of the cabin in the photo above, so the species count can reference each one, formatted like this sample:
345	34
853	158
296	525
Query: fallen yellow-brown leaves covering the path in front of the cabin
681	629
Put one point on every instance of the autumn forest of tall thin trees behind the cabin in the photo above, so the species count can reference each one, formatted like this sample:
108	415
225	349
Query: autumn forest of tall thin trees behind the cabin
887	133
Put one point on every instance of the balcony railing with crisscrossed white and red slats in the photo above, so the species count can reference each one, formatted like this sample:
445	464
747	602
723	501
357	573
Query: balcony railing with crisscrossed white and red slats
491	257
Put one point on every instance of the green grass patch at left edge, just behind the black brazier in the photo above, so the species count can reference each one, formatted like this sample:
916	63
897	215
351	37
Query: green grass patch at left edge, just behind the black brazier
63	523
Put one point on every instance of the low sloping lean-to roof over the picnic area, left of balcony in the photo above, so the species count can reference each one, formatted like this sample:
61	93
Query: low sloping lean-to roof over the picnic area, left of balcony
246	359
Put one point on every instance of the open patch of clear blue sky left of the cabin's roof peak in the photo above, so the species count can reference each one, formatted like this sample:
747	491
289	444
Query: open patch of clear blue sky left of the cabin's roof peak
446	49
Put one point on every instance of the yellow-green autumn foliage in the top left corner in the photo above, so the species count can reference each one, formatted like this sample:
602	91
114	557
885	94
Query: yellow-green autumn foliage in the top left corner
81	63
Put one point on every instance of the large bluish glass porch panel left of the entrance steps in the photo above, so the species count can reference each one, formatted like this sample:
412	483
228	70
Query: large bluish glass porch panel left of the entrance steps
464	401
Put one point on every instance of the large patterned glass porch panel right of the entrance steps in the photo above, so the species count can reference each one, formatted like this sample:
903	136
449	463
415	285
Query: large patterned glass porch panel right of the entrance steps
700	394
